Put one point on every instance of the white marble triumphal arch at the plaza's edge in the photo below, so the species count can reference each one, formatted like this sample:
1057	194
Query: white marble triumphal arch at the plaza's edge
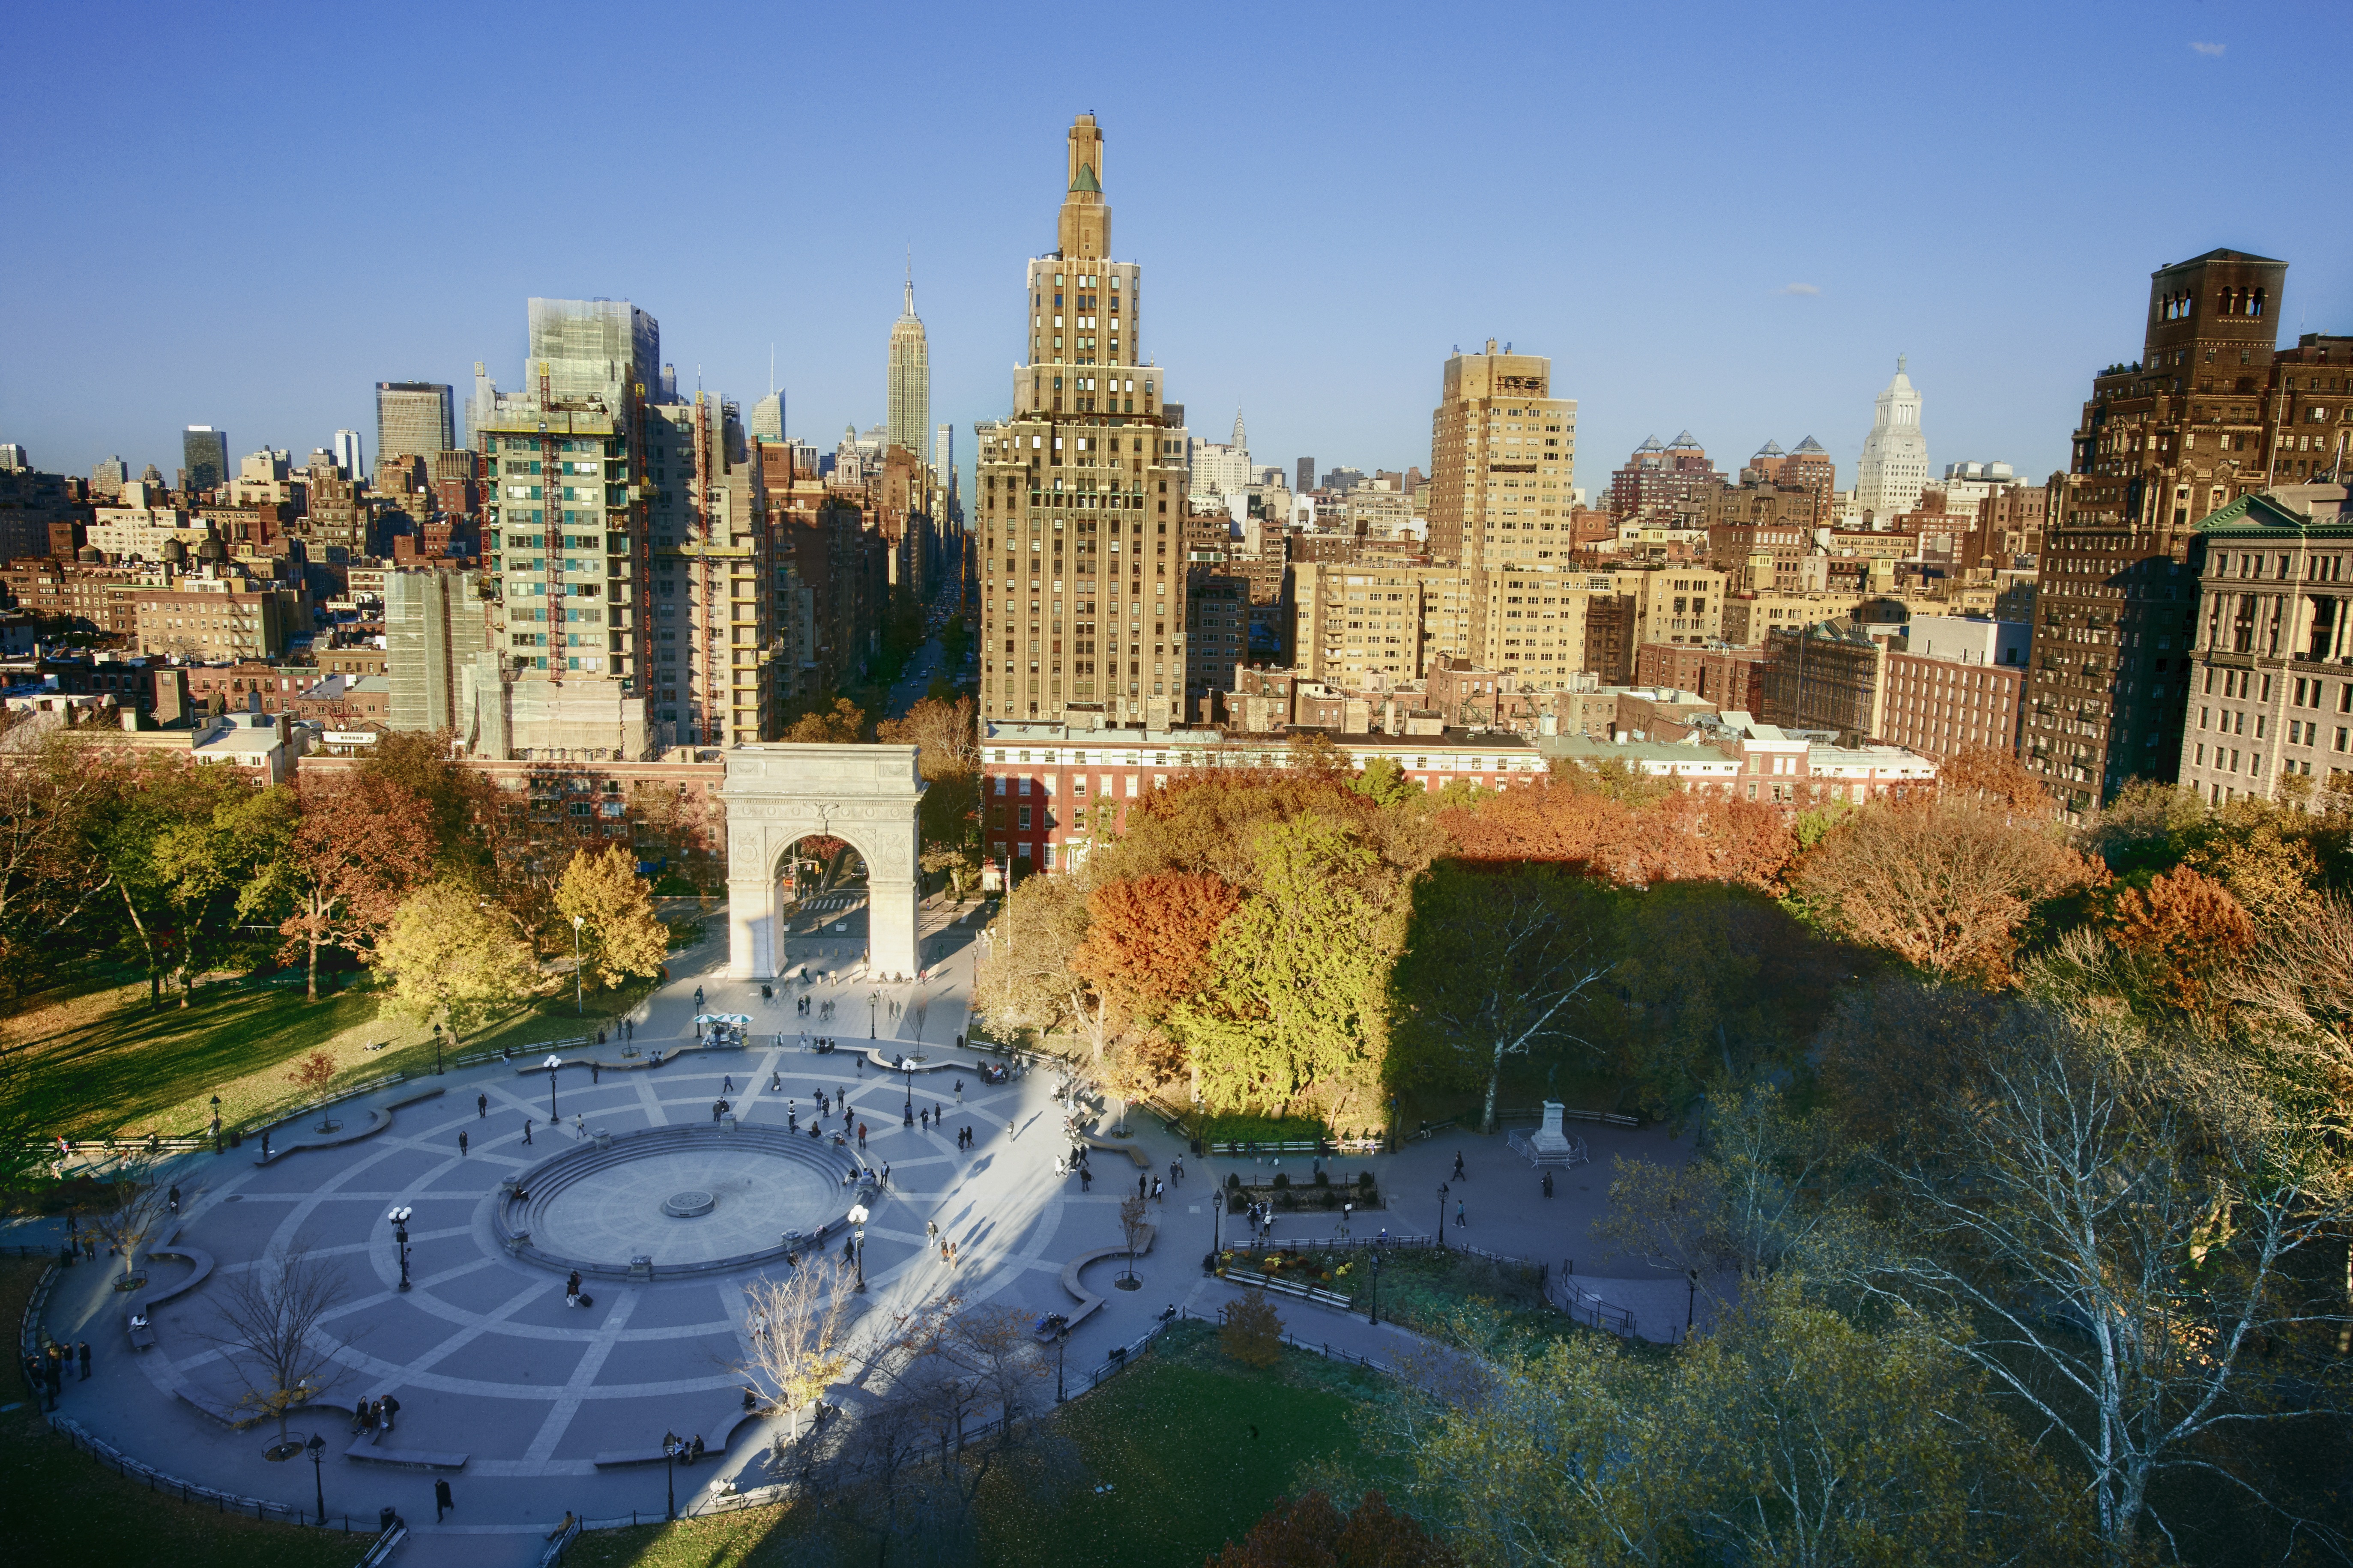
867	797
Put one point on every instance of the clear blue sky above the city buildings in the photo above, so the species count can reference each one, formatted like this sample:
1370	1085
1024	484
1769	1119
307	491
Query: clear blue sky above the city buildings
1714	218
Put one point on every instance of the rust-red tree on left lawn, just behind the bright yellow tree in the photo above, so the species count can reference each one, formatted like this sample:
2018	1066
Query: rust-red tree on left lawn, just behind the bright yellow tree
359	844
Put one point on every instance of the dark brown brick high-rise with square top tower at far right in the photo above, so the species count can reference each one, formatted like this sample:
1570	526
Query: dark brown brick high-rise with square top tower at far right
2201	420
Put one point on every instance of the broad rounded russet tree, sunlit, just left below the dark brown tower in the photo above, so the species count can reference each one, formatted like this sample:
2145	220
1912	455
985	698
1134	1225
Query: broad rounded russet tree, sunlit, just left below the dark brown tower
1940	882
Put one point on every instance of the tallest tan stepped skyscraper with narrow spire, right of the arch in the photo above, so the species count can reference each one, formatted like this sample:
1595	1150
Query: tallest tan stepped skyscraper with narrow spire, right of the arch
1081	491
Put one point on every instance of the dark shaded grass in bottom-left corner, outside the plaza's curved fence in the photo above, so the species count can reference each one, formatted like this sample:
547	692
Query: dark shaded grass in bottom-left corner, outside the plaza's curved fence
67	1508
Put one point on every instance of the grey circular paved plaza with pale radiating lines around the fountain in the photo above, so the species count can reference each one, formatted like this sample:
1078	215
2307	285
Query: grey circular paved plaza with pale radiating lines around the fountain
488	1360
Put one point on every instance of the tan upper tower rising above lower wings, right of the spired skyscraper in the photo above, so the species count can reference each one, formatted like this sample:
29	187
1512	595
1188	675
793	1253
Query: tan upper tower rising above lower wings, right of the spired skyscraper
1502	463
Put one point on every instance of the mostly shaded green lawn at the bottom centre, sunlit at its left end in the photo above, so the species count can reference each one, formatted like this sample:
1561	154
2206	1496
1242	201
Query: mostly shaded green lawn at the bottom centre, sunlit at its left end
1192	1444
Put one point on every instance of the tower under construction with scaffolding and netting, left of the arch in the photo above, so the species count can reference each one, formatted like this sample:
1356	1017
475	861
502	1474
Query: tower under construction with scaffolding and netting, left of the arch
566	533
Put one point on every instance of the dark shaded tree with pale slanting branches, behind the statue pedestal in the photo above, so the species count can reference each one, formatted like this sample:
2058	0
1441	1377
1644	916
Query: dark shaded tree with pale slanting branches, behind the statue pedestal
1498	966
